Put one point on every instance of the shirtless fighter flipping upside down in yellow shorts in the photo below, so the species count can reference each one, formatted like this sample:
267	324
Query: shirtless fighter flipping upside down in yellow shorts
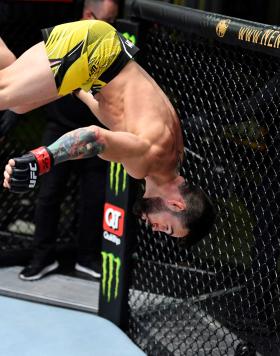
91	59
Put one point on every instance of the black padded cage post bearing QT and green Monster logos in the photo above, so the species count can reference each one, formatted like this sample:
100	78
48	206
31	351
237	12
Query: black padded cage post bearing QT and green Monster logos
117	243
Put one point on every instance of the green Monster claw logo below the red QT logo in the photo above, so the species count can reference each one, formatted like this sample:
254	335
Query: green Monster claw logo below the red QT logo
110	275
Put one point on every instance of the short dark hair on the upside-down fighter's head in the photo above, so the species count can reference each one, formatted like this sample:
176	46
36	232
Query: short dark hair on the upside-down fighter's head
199	215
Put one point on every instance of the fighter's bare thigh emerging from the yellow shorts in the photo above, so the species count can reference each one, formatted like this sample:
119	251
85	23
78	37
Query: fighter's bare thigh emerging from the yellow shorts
29	81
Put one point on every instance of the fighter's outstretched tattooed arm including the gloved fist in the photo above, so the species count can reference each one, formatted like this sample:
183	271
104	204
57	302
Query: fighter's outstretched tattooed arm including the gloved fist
21	173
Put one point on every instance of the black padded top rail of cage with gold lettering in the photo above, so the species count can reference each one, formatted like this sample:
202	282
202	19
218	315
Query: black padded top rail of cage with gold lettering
255	36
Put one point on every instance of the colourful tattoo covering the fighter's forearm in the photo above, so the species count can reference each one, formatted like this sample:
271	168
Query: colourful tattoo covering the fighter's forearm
77	144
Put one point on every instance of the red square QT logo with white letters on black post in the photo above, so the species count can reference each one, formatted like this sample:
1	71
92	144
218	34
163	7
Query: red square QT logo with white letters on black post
113	219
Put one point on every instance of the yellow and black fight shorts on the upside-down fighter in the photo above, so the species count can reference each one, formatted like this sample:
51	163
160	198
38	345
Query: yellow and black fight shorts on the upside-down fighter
86	54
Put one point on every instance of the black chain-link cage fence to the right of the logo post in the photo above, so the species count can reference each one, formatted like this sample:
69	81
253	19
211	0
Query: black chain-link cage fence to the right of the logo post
222	296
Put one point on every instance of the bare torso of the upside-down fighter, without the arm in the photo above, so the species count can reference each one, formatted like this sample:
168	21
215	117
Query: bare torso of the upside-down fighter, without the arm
133	102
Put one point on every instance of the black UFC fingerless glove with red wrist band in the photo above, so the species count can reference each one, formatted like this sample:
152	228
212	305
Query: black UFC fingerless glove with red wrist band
28	167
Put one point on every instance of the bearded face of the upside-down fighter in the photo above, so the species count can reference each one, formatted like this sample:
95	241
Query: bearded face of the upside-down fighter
161	218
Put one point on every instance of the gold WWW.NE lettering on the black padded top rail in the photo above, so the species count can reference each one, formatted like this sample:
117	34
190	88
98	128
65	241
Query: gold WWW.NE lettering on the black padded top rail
267	38
